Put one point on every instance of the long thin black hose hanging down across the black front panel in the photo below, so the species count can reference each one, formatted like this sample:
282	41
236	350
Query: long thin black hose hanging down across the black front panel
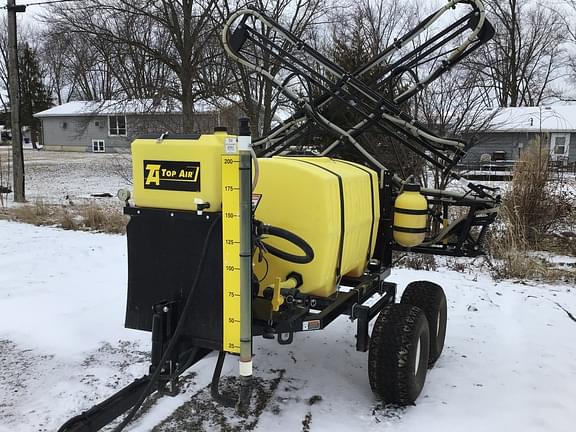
179	327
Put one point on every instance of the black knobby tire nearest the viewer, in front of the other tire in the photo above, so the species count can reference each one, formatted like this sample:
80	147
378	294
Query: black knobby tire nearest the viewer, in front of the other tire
398	354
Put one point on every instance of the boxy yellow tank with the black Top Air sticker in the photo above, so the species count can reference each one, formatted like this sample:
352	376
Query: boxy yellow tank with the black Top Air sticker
178	172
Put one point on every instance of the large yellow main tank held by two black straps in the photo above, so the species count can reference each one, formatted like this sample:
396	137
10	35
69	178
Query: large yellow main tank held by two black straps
332	204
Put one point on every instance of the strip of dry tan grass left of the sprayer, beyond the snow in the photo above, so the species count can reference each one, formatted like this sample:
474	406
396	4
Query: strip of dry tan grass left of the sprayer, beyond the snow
84	217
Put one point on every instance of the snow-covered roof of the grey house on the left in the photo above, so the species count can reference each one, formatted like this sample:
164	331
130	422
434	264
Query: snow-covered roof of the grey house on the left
122	107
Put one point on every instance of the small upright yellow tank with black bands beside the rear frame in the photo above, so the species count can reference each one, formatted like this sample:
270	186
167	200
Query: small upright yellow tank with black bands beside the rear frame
410	216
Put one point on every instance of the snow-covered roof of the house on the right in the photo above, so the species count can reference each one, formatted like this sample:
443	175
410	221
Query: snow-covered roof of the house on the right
553	118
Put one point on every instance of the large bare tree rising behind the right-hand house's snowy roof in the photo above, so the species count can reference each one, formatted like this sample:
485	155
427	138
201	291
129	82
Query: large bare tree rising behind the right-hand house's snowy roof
526	56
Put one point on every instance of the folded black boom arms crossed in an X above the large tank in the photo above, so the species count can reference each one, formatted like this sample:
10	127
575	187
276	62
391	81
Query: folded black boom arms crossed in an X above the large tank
296	62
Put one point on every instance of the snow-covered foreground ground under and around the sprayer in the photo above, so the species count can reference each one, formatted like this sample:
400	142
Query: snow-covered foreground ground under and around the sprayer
508	364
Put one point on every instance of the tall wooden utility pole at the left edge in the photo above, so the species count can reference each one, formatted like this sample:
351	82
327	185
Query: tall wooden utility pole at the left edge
14	89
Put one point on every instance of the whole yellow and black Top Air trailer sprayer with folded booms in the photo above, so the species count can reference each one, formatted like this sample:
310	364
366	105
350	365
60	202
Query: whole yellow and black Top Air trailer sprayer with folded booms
231	239
